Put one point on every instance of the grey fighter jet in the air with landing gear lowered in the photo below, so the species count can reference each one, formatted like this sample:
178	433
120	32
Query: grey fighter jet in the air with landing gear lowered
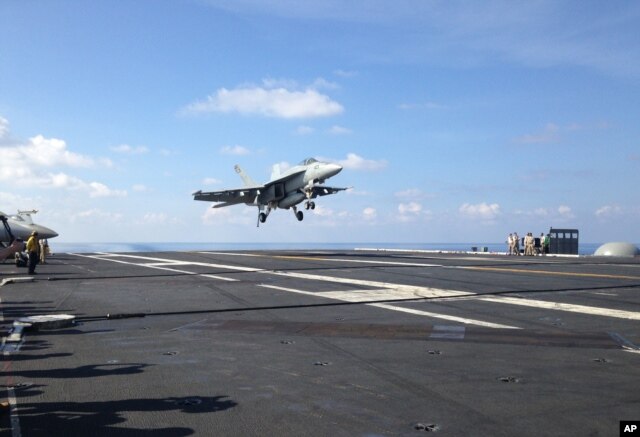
301	183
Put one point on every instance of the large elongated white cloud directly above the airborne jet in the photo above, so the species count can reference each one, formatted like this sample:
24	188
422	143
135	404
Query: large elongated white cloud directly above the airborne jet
269	102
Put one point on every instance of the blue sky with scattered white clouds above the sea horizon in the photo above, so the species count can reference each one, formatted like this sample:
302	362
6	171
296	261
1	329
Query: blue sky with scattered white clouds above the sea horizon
454	121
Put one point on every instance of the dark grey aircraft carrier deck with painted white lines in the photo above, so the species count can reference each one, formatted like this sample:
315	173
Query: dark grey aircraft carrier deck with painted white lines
319	343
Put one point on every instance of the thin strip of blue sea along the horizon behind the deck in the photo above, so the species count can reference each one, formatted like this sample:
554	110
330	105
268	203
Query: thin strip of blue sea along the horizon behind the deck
583	249
